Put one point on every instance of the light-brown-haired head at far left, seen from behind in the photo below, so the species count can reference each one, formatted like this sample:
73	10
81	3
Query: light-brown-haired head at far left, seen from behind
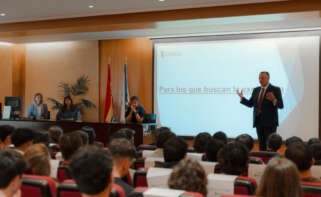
38	158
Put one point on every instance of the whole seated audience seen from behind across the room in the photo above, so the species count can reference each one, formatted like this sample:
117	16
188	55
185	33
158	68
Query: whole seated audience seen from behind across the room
95	169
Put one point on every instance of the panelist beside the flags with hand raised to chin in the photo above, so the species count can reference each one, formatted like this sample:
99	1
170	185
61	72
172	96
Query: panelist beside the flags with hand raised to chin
135	112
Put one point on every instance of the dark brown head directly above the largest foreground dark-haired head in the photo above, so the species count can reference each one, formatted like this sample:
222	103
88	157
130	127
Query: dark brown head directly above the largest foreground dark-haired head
69	143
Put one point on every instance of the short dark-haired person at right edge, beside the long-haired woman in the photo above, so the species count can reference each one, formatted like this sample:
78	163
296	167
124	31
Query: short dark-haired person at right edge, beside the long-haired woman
301	155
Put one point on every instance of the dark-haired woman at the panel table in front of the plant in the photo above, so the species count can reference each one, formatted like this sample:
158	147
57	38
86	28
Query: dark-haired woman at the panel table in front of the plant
68	111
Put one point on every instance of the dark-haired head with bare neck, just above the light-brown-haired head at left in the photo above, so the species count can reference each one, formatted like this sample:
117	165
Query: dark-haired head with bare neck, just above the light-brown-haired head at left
22	139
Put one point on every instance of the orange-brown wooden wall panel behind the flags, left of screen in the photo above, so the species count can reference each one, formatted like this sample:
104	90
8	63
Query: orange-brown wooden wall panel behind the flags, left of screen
139	54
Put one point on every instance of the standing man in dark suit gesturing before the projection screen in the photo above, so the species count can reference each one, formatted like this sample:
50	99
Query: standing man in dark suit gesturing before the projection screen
266	99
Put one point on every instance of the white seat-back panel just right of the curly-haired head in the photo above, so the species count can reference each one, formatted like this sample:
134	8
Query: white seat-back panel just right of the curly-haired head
219	184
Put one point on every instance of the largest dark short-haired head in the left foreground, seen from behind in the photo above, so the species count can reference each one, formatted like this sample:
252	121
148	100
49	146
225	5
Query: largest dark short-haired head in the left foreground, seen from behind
92	169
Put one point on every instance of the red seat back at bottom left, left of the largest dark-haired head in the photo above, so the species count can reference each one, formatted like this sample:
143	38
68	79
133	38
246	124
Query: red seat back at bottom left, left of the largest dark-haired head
38	186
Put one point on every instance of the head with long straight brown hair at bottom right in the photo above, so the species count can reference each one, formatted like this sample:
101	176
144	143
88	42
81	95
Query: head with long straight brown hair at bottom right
280	179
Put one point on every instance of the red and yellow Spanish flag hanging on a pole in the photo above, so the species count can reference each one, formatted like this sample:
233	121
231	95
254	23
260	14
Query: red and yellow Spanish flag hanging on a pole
109	99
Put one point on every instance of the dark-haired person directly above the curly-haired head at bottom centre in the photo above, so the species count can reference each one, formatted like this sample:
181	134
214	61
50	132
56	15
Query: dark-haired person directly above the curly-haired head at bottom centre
175	150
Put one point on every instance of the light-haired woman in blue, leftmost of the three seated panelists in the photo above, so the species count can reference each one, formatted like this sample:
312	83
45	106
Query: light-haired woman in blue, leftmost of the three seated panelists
38	110
